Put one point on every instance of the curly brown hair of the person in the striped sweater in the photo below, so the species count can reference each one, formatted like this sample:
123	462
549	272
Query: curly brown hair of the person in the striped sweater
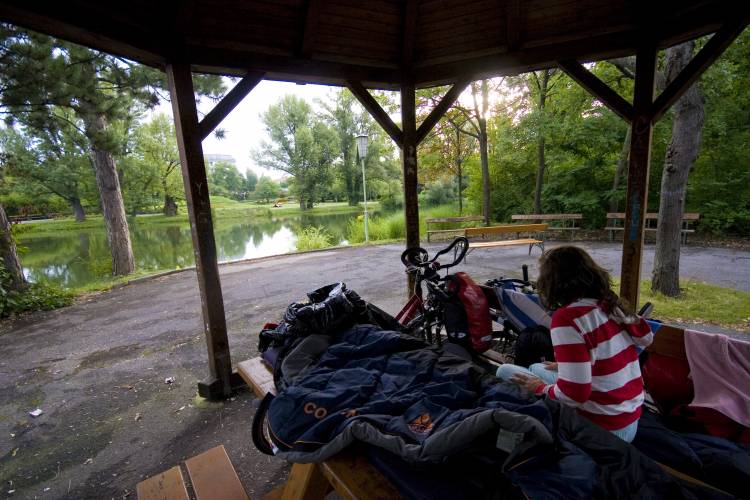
568	273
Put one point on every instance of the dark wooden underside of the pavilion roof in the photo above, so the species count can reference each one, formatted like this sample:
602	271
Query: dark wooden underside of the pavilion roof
380	43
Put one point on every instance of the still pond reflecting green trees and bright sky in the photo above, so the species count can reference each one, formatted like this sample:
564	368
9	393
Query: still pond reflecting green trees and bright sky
77	258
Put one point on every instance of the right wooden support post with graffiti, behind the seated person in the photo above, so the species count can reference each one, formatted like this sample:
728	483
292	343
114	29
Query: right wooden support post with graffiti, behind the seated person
640	162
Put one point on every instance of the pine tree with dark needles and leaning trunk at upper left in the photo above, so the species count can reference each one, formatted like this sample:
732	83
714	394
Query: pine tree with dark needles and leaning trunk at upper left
40	75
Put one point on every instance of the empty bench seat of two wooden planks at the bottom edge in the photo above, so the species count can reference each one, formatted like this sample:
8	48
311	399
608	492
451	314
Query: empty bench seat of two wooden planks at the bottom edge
211	475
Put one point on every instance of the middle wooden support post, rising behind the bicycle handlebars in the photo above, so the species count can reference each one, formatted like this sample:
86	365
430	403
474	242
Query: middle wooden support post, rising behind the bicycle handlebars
409	162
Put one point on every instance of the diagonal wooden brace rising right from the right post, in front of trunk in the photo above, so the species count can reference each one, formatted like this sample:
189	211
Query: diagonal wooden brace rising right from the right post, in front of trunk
703	60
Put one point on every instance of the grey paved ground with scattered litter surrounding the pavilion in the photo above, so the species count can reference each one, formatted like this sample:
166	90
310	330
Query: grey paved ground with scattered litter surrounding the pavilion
97	369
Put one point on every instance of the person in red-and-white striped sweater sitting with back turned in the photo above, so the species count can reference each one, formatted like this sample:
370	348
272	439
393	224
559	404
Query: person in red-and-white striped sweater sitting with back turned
596	339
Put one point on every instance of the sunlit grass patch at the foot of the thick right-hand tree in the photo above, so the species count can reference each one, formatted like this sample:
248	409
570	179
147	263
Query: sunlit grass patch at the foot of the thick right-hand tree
702	303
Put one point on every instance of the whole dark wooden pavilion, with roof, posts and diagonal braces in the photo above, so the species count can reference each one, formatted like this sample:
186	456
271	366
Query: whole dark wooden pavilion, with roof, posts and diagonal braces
388	44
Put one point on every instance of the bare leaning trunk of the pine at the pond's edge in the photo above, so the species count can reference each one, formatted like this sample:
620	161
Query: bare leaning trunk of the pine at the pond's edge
113	209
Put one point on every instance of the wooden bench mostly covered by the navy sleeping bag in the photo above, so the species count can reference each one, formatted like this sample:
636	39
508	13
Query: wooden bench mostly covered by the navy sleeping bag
350	475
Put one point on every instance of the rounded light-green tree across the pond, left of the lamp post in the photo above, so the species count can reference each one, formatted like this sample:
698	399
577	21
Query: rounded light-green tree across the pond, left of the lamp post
302	145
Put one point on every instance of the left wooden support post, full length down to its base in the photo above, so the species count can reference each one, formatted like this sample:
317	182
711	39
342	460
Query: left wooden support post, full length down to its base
199	209
